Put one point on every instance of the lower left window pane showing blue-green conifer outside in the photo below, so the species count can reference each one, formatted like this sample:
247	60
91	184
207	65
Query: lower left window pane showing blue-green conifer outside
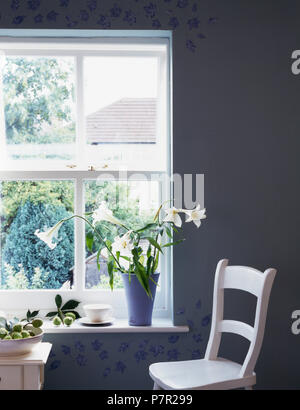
26	261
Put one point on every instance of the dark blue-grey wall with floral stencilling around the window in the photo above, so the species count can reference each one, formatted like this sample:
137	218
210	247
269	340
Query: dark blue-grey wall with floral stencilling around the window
236	120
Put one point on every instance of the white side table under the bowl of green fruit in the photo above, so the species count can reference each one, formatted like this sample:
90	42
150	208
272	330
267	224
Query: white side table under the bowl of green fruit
24	372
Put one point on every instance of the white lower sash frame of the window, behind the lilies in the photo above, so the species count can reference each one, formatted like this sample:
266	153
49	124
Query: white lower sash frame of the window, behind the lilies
16	300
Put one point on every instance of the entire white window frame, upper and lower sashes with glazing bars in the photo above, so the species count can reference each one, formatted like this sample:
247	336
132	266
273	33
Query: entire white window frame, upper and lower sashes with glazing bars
19	300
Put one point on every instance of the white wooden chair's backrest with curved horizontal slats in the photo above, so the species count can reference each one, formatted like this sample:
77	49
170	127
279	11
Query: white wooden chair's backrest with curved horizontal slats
249	280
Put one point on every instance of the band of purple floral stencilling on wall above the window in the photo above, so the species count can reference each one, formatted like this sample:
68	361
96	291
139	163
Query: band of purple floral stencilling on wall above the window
186	16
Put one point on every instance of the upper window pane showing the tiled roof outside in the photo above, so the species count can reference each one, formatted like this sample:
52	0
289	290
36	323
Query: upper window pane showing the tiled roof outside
121	109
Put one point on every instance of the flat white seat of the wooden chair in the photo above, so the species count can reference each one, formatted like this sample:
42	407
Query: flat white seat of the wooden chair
199	375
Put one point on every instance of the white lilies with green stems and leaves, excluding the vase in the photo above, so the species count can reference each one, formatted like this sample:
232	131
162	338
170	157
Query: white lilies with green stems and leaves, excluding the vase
126	254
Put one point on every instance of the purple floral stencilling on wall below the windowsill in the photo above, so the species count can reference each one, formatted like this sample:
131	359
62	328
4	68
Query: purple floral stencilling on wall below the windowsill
105	355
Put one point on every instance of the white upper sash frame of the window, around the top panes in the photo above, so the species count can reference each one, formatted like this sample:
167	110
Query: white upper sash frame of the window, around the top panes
158	48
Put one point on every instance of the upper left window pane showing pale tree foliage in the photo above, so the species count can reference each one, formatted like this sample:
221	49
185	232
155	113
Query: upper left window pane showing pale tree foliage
38	99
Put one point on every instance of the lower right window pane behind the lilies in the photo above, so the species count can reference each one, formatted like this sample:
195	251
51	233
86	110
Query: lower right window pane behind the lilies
134	203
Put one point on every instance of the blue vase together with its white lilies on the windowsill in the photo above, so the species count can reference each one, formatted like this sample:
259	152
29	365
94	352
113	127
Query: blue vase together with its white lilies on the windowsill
125	254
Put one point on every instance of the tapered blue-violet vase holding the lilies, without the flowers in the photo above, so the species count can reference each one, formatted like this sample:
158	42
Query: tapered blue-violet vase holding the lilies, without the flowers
139	304
